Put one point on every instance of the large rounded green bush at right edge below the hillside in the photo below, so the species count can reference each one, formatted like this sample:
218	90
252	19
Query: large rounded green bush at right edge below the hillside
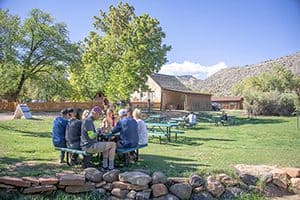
271	93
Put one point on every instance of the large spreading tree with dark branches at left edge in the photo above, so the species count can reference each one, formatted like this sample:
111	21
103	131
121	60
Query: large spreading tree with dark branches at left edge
32	50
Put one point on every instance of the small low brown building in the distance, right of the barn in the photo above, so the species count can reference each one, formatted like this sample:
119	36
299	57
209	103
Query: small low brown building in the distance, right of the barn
229	102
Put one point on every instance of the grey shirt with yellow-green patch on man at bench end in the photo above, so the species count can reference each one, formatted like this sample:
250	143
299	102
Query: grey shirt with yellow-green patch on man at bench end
88	133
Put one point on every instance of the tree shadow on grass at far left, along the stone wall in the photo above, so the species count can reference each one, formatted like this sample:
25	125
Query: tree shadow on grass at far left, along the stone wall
21	166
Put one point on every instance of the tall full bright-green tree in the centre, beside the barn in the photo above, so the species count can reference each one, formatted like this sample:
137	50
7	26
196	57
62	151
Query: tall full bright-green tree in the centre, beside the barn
121	53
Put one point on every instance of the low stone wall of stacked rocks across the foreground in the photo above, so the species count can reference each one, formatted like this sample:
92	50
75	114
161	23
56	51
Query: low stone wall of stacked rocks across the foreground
141	184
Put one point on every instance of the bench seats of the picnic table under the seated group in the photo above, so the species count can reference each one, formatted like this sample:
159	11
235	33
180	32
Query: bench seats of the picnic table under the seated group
124	151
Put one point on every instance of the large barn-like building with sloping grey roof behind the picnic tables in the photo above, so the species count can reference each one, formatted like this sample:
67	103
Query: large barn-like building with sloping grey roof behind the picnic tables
172	94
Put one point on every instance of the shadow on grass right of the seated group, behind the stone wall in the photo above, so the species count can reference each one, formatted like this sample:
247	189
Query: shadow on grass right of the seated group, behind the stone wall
170	166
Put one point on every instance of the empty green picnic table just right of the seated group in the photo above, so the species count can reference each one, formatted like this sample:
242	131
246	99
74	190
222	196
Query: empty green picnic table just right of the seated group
162	129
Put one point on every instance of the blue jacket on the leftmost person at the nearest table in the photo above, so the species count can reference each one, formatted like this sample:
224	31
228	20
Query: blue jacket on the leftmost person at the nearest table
59	131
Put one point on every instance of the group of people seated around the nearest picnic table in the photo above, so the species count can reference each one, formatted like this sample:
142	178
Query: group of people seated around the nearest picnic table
76	130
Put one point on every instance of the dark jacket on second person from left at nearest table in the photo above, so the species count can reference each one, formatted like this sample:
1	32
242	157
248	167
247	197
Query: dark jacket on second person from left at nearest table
73	132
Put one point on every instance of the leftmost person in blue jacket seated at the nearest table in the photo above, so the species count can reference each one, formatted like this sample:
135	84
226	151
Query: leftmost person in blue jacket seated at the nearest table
59	132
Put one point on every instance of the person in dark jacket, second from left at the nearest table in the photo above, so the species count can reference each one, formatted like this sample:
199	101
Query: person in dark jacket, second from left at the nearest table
73	132
